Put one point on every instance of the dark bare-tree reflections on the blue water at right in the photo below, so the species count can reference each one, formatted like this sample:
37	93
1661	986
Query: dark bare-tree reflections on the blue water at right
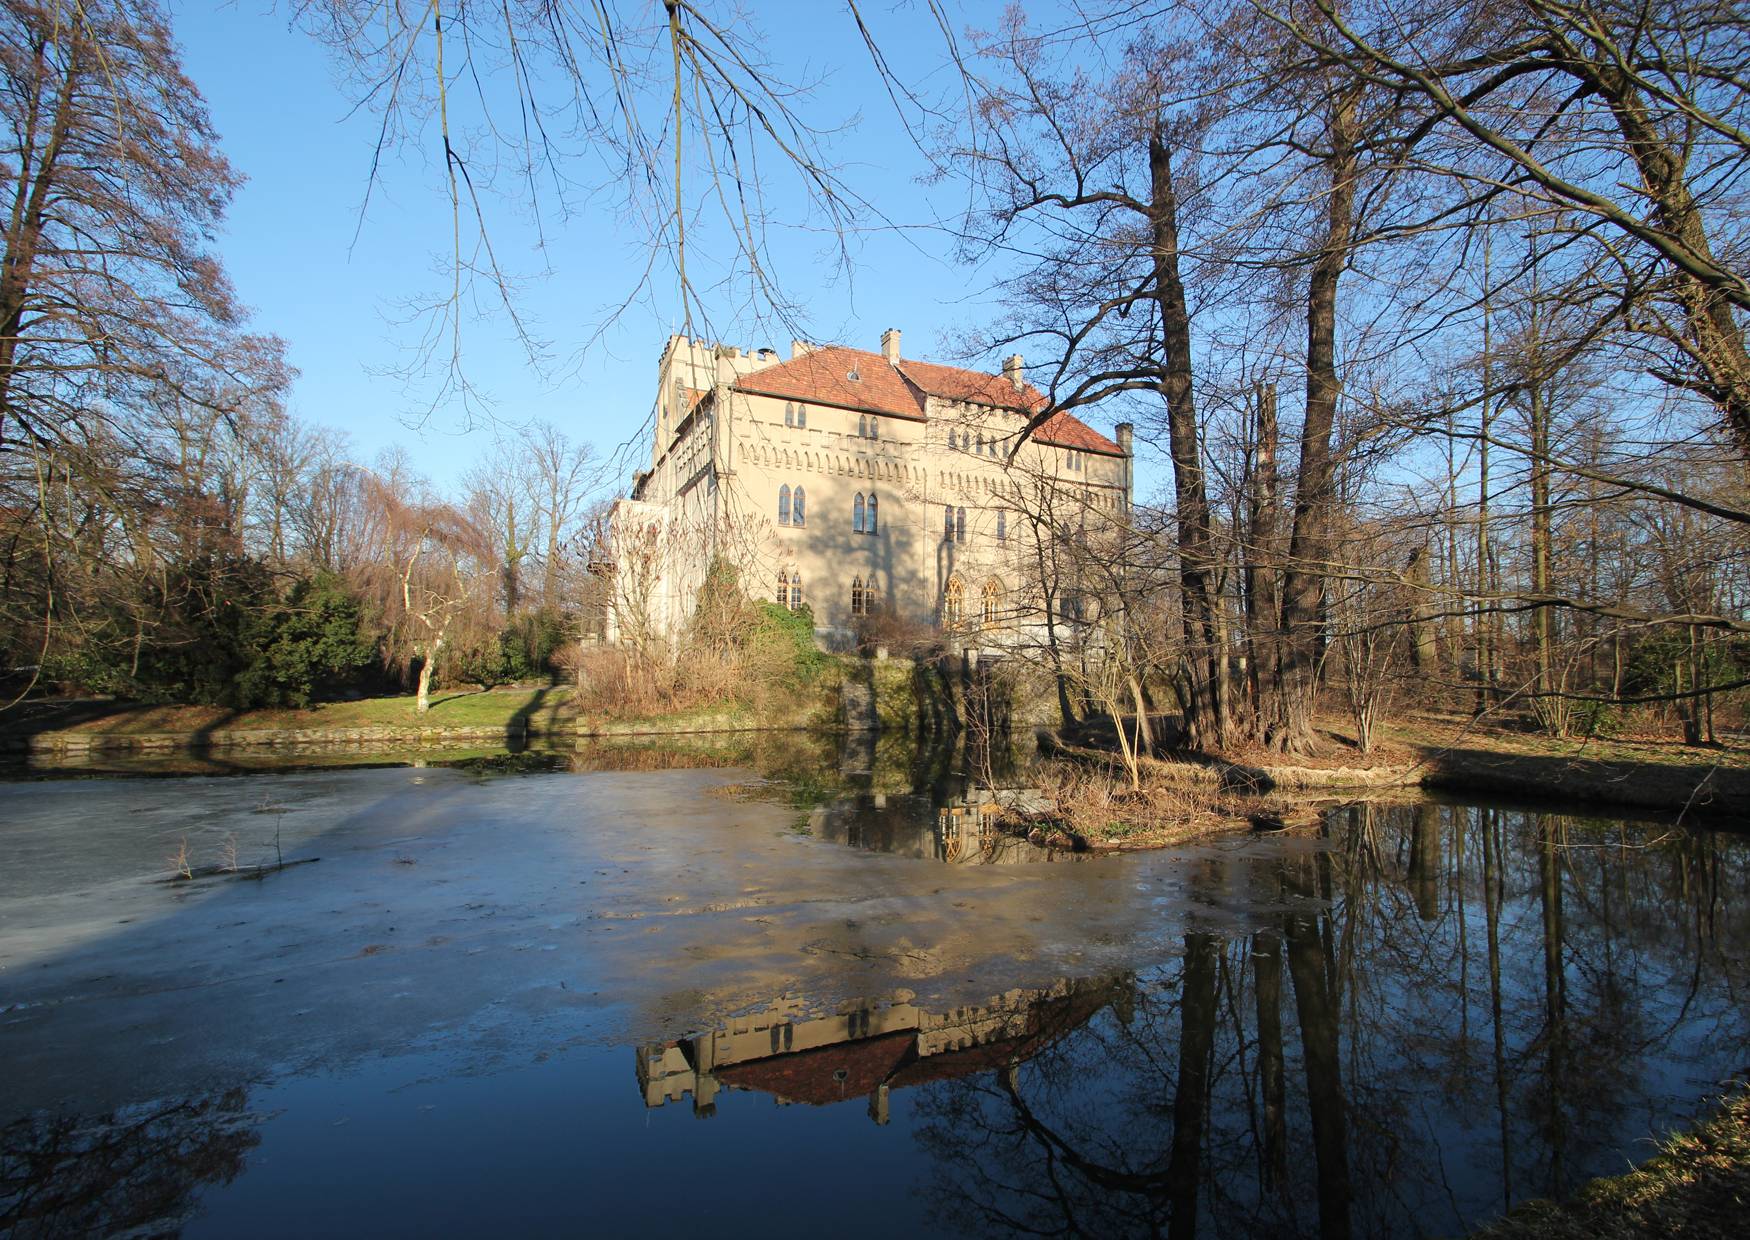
1457	1010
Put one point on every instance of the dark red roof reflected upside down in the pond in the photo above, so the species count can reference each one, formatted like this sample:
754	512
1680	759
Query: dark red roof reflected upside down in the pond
892	1059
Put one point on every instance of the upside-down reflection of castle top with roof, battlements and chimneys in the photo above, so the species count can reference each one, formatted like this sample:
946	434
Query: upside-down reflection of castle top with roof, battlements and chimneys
867	1048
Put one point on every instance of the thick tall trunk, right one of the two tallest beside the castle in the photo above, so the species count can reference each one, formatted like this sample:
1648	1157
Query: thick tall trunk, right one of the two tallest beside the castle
1310	548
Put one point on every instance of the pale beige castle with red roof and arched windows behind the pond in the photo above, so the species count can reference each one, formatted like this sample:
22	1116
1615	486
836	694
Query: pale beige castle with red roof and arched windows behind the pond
858	485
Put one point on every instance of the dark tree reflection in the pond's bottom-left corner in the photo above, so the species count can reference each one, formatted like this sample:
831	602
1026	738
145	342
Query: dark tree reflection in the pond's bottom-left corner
120	1173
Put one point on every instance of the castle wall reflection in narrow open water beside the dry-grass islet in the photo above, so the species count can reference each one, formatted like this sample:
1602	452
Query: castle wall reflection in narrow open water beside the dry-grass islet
960	832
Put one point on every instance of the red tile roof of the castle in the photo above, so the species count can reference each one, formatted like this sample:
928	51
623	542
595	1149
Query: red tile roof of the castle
822	377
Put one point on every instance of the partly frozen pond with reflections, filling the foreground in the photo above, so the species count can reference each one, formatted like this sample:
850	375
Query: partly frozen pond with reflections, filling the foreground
496	1000
